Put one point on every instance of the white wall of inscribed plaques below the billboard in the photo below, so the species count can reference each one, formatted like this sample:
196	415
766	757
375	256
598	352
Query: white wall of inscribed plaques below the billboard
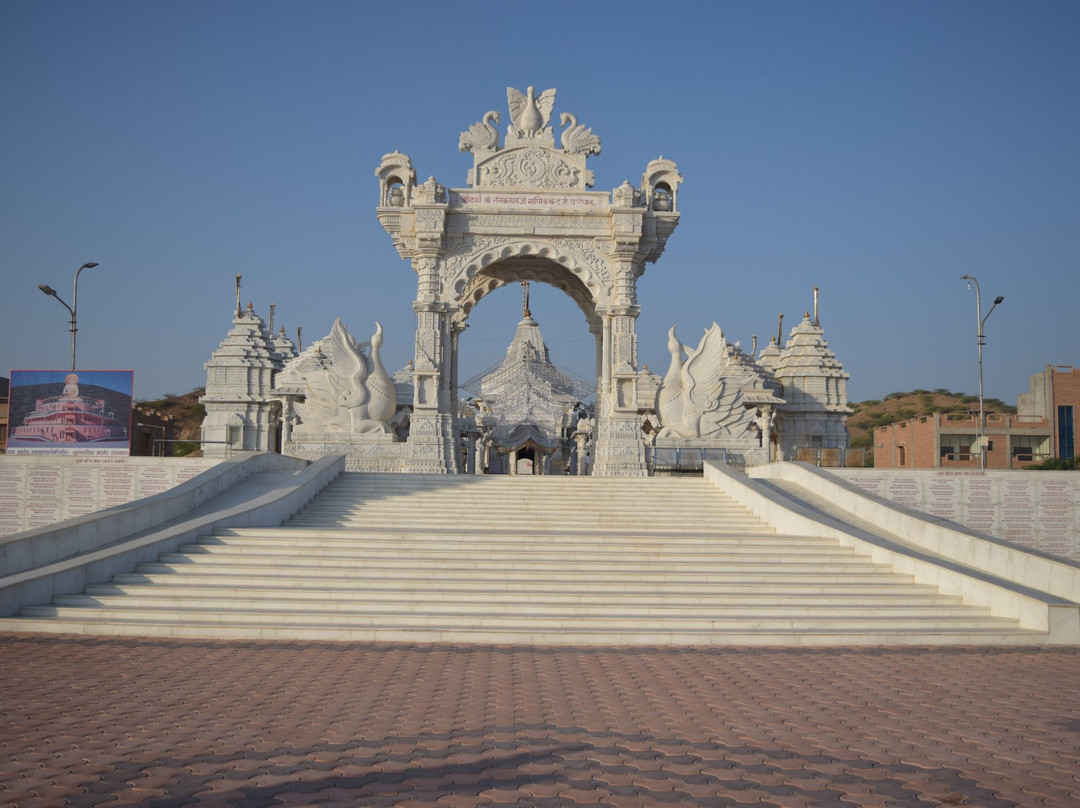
36	492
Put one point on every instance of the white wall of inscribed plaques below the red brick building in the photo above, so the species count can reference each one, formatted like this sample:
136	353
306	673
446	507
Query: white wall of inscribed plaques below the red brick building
1037	509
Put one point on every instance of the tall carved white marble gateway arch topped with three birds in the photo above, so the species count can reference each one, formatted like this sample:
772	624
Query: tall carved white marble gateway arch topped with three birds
528	214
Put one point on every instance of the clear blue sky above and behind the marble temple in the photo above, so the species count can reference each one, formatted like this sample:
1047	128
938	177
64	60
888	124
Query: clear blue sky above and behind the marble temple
877	151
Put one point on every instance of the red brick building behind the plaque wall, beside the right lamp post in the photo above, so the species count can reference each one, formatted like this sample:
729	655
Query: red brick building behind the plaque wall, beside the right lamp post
1043	428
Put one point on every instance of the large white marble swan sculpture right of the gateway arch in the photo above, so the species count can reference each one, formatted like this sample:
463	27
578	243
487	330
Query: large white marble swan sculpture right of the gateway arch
695	399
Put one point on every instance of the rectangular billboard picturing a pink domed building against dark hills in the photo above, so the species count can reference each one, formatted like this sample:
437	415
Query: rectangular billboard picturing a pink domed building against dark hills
71	412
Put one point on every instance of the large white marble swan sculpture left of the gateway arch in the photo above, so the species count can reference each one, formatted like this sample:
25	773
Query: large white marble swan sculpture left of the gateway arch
354	395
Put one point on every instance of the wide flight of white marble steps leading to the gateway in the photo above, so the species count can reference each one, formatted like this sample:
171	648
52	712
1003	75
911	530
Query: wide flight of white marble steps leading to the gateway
524	560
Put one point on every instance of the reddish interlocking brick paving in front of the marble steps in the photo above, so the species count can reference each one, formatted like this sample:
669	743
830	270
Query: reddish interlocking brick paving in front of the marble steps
109	722
